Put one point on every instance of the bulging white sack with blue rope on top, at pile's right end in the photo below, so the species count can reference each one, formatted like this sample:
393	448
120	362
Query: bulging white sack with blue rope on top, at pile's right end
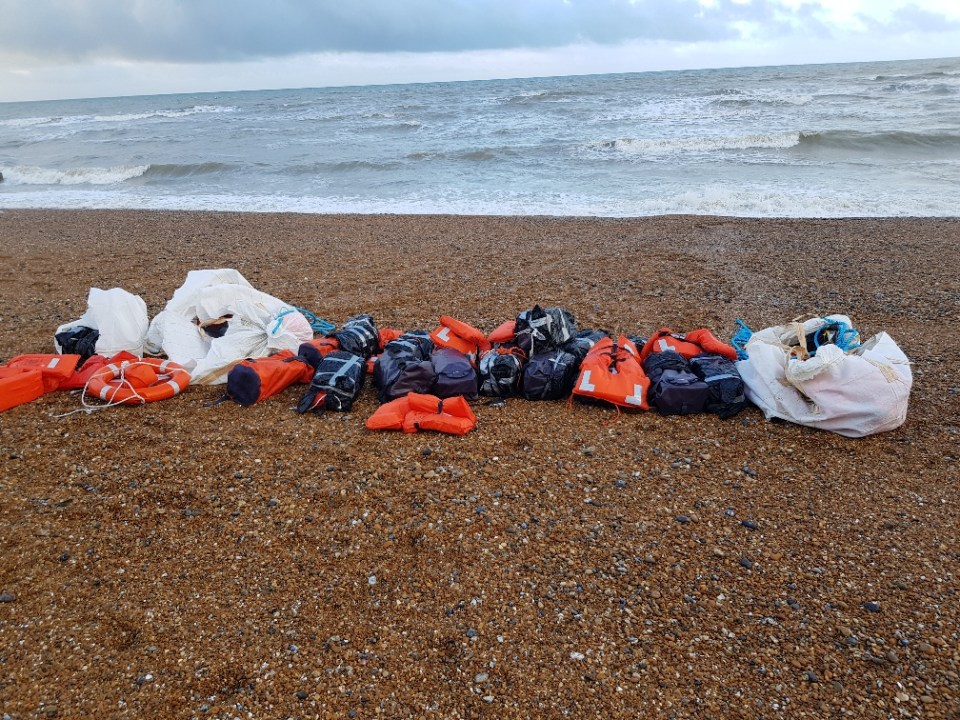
856	393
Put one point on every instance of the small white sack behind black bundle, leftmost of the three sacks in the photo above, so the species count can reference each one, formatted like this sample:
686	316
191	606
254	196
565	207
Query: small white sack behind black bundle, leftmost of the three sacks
118	316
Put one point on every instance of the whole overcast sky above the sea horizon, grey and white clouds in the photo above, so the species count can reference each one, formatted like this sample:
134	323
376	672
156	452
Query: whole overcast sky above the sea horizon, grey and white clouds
92	48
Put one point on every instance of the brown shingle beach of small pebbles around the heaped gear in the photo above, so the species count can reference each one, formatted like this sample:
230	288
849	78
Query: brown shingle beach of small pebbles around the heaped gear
188	560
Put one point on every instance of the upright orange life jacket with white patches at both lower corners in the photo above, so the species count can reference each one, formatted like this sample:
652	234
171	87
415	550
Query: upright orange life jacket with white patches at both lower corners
611	371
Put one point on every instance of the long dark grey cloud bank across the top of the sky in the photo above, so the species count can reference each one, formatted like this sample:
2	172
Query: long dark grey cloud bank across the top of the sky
220	30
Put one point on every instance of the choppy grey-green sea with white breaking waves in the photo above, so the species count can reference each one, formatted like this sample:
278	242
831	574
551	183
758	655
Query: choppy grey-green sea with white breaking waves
842	140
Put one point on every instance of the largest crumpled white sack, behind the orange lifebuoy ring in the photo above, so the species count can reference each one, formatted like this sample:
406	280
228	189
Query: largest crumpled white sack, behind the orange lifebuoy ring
257	324
